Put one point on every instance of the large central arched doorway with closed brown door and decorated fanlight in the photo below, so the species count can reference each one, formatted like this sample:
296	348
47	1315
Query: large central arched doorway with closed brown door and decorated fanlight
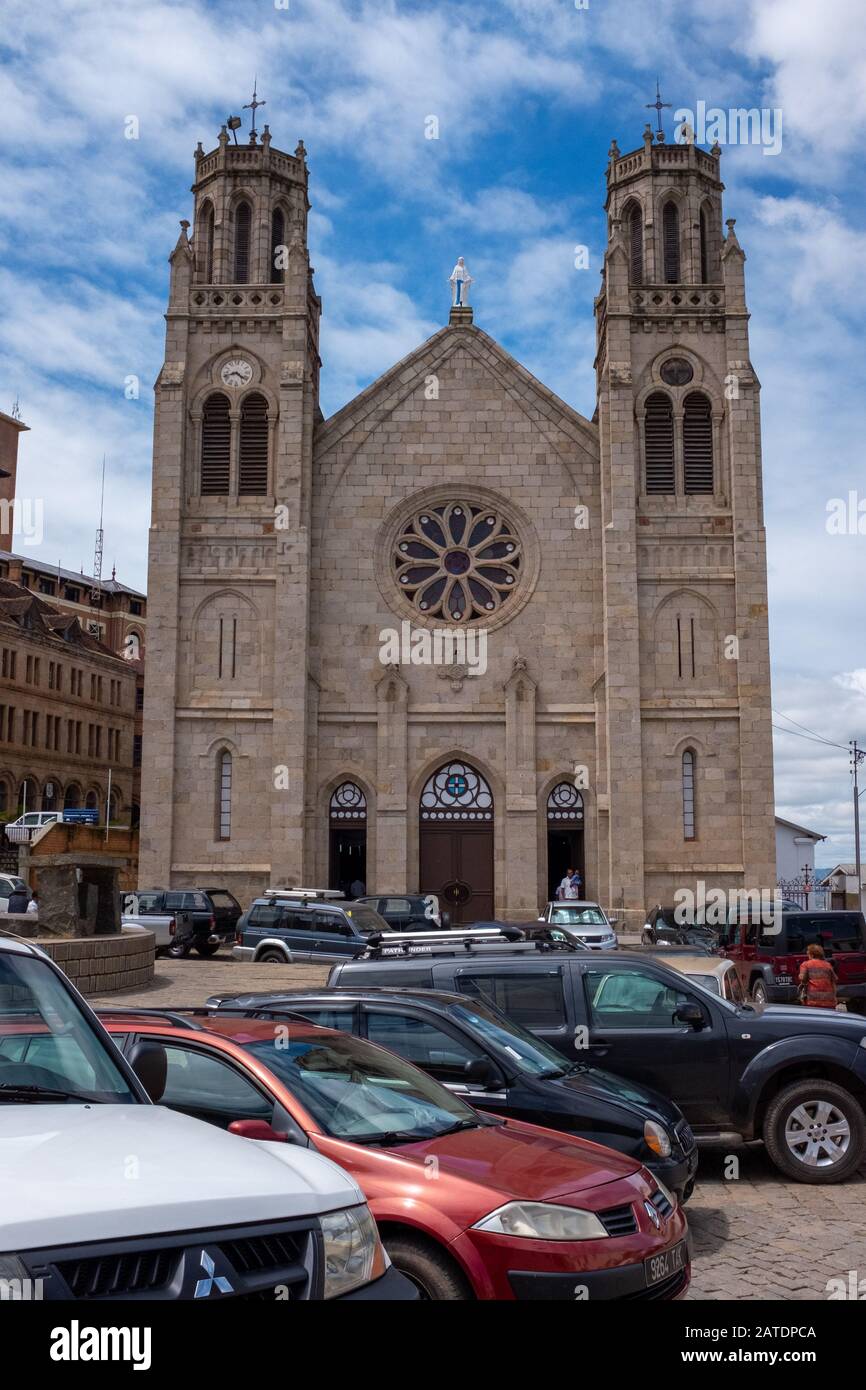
457	842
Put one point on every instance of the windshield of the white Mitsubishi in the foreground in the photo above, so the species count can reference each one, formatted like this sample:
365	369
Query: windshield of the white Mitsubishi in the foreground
48	1047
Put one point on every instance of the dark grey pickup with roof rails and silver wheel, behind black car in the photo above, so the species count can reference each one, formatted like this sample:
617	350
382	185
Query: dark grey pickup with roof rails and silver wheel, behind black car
790	1077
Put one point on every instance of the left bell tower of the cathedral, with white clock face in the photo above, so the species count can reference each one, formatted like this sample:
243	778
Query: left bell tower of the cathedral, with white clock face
237	401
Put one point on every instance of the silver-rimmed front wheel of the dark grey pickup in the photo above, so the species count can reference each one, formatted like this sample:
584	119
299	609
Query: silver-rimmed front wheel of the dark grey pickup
815	1132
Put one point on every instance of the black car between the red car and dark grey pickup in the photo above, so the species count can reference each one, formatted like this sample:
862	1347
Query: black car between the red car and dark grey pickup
497	1065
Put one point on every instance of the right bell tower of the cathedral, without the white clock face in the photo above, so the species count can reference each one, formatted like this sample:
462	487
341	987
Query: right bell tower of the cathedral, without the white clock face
687	755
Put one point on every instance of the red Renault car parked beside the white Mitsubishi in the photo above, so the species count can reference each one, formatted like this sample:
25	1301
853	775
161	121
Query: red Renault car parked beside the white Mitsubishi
468	1206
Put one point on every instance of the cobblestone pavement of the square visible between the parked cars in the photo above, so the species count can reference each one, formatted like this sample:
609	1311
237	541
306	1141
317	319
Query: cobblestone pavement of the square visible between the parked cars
754	1238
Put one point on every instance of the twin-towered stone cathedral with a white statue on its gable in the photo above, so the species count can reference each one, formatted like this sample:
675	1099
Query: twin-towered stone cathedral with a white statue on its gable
301	730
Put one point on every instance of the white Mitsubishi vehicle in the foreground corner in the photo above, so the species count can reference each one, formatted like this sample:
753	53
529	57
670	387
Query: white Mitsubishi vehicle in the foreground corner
109	1196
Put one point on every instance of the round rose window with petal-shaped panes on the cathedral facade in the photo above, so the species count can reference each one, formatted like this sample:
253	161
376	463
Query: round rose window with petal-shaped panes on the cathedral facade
458	562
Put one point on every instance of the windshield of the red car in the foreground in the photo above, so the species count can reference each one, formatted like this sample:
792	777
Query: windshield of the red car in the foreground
362	1093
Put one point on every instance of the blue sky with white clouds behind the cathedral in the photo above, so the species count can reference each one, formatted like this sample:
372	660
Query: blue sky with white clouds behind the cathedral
529	95
